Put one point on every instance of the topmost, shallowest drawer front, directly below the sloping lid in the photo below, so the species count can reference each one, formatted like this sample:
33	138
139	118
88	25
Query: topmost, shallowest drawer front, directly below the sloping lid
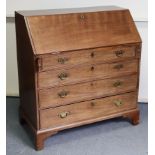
69	59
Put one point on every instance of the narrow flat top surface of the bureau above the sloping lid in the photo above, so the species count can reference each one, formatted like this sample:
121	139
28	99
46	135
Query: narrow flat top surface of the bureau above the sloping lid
27	13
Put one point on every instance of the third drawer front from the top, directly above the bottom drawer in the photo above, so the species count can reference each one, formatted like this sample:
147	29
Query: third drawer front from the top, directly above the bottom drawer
79	92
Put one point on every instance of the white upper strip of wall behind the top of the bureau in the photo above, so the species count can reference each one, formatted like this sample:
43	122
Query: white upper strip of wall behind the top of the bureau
137	7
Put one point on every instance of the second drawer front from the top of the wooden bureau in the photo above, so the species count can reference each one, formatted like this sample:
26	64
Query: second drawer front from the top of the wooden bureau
86	73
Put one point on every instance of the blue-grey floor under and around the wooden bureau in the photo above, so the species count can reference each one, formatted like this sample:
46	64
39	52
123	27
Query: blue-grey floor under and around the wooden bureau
112	137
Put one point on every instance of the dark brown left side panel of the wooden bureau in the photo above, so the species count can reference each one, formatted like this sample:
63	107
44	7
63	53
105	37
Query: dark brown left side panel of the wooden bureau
26	72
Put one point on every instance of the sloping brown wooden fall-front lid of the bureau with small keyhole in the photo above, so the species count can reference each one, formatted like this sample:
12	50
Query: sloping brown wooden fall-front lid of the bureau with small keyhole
72	31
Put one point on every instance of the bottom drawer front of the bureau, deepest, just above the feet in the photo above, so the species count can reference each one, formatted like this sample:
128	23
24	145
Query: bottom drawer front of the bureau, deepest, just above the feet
74	113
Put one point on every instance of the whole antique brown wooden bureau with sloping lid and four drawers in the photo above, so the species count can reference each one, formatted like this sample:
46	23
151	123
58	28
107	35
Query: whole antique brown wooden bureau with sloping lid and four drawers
76	66
